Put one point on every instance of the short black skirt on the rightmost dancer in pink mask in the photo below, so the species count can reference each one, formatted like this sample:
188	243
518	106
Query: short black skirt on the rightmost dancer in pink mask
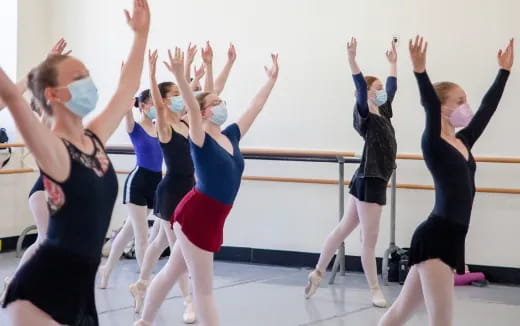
439	238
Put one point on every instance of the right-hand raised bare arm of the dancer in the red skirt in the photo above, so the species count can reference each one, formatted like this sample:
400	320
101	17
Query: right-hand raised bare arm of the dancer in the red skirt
247	119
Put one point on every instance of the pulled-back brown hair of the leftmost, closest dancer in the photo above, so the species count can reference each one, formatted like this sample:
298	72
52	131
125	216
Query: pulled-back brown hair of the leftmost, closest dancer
43	76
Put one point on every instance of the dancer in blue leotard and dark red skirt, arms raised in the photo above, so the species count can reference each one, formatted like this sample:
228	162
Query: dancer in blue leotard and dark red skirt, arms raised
199	219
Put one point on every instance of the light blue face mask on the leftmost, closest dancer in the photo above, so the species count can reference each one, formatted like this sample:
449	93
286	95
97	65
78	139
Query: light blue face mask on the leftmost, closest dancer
84	97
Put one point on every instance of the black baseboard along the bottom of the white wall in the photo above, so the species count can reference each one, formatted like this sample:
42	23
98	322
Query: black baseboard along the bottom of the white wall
502	275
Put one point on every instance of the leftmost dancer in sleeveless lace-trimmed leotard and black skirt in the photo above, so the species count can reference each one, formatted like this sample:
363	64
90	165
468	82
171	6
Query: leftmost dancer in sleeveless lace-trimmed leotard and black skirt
57	284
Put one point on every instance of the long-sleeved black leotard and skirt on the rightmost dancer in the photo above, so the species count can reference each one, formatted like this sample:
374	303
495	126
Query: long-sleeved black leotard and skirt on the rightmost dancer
443	234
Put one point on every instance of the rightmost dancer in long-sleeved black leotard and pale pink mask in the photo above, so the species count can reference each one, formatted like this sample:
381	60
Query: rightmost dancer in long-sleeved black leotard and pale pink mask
438	243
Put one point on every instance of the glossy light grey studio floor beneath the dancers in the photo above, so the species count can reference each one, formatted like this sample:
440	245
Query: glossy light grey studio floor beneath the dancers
249	295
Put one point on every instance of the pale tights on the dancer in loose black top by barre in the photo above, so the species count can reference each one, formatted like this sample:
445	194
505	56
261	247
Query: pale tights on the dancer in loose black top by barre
369	215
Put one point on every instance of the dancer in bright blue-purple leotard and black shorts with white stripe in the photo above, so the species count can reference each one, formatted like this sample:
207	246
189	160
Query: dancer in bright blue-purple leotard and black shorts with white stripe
140	185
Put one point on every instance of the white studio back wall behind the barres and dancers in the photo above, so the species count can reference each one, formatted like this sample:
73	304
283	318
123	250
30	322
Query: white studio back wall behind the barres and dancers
311	105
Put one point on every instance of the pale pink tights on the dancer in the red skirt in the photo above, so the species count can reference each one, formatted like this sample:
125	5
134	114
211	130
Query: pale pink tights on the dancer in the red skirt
185	257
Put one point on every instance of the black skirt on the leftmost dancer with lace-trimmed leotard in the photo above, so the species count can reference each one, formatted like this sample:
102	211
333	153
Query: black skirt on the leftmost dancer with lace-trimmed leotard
59	283
